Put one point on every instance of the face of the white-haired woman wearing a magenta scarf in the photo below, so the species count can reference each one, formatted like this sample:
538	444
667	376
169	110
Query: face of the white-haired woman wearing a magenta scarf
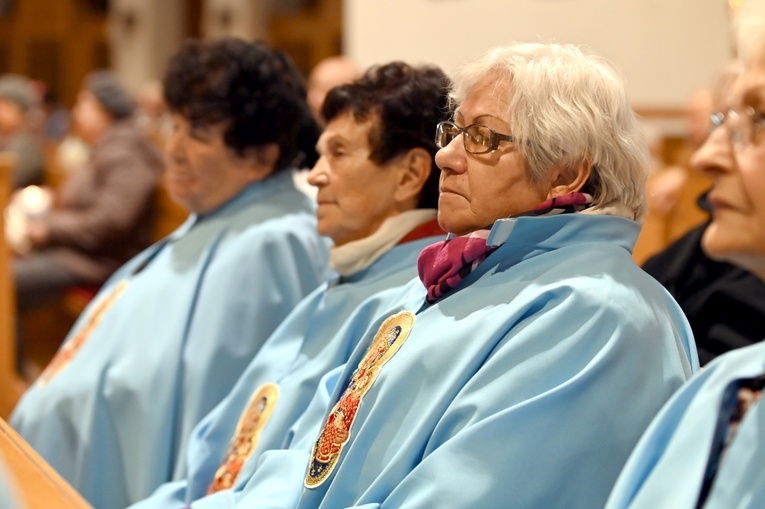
478	189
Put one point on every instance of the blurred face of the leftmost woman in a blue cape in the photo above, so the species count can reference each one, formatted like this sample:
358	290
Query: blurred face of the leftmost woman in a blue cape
201	171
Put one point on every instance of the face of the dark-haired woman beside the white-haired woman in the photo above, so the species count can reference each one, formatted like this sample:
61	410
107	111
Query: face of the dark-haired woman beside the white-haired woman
355	194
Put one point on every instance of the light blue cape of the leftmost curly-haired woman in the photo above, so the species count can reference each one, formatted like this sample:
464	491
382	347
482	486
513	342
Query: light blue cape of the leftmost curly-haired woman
114	421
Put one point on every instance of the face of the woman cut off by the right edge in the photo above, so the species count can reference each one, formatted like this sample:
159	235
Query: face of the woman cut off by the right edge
737	230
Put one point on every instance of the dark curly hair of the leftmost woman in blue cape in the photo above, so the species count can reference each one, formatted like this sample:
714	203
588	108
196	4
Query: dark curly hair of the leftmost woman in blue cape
252	88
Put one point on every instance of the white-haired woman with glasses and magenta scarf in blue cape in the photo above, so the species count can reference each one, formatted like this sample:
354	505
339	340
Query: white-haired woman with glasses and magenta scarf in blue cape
523	368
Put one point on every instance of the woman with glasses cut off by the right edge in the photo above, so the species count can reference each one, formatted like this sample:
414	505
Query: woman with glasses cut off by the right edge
705	447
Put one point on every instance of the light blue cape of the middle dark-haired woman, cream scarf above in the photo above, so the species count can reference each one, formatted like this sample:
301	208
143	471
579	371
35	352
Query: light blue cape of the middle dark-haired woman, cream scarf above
295	357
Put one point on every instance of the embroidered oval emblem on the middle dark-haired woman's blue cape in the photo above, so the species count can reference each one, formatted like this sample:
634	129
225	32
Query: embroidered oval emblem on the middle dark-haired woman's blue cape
246	437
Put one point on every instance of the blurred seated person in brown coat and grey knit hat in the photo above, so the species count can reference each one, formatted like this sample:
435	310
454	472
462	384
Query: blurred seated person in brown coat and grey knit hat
100	217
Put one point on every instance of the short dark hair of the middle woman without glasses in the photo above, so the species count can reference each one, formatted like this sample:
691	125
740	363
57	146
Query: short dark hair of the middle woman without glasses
407	102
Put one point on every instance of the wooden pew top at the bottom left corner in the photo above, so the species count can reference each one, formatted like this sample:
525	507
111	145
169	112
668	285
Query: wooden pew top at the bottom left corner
36	483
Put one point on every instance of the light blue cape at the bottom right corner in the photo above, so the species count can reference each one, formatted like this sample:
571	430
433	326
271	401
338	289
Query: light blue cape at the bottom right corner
667	467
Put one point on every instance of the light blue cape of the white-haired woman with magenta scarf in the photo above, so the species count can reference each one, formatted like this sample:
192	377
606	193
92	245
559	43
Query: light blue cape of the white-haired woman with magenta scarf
526	387
